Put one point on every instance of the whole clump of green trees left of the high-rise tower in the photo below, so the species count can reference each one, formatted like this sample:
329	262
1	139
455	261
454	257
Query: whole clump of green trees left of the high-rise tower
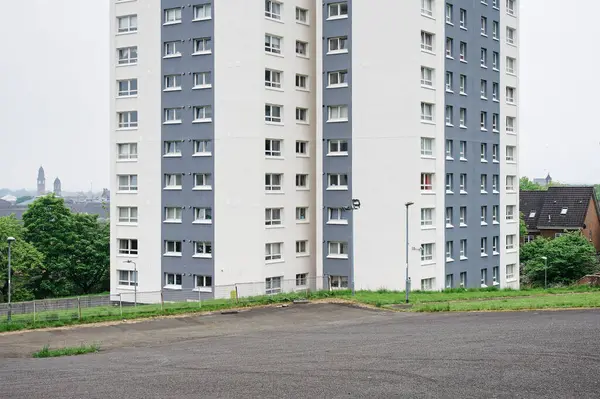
56	252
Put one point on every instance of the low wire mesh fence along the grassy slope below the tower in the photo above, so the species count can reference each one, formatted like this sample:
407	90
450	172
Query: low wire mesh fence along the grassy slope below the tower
132	303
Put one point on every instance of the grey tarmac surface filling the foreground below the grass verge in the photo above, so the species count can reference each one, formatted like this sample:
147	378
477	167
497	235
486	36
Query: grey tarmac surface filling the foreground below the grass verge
316	351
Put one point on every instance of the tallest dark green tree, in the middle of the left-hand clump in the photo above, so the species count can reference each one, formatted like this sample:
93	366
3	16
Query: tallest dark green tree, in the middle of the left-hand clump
49	228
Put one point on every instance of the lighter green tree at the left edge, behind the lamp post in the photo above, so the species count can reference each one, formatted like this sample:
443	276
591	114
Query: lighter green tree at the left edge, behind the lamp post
26	261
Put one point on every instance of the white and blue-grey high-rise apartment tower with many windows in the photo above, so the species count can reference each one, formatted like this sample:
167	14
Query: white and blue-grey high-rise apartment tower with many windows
243	130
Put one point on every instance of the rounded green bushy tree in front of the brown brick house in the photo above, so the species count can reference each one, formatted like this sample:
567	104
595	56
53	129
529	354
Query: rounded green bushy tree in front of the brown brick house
570	257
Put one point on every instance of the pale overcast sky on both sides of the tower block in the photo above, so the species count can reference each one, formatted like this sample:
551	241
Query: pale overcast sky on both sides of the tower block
54	93
